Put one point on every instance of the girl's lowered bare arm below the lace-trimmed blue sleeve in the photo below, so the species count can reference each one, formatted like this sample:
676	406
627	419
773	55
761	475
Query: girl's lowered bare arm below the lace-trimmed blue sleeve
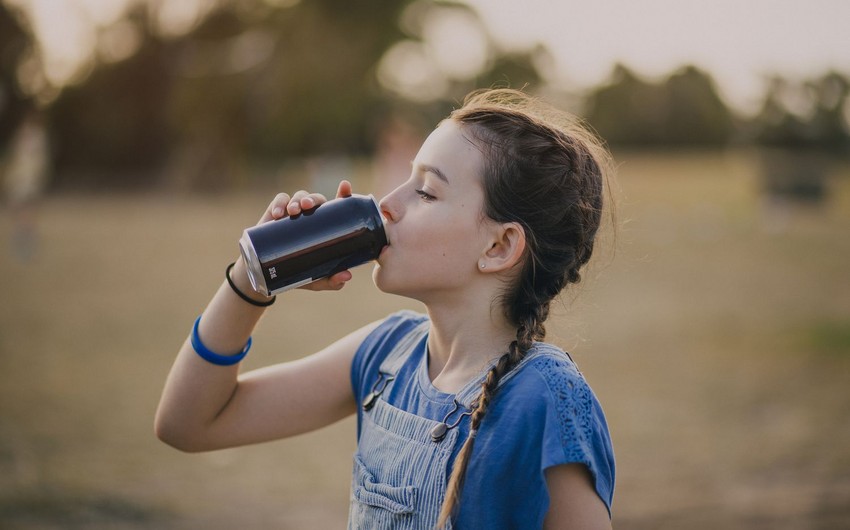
573	502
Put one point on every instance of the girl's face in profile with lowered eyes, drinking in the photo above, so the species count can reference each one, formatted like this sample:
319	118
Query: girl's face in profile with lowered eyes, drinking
435	225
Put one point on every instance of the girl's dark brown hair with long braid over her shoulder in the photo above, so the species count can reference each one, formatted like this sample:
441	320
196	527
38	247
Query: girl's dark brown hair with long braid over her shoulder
545	171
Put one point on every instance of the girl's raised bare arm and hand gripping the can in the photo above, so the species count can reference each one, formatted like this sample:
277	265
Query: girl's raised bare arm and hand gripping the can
206	406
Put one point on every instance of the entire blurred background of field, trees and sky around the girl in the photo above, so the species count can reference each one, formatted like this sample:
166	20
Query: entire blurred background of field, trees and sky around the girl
139	137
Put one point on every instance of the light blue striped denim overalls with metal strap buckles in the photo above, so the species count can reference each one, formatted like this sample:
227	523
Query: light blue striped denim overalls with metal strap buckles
400	472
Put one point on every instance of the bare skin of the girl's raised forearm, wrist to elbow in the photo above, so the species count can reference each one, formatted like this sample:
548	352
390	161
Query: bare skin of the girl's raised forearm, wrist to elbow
197	391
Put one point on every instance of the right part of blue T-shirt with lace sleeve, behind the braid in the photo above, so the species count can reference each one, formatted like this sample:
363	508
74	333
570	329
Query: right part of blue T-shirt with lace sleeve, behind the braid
543	416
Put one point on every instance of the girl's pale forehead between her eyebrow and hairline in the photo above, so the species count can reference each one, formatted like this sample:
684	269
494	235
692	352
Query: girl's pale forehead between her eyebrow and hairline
453	152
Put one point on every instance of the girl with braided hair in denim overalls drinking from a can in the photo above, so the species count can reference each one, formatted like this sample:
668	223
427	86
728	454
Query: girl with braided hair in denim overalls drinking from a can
465	420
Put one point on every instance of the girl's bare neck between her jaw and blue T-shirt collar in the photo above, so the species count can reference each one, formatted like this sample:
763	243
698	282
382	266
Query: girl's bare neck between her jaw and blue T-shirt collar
462	341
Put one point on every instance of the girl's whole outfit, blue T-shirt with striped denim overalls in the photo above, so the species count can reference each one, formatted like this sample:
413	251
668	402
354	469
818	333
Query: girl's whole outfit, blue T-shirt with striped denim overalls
543	415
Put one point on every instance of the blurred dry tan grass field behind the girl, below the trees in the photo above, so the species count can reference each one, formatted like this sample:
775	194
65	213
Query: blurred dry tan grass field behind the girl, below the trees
717	337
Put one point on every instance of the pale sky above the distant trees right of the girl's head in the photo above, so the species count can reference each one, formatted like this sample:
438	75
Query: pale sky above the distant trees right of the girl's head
739	42
